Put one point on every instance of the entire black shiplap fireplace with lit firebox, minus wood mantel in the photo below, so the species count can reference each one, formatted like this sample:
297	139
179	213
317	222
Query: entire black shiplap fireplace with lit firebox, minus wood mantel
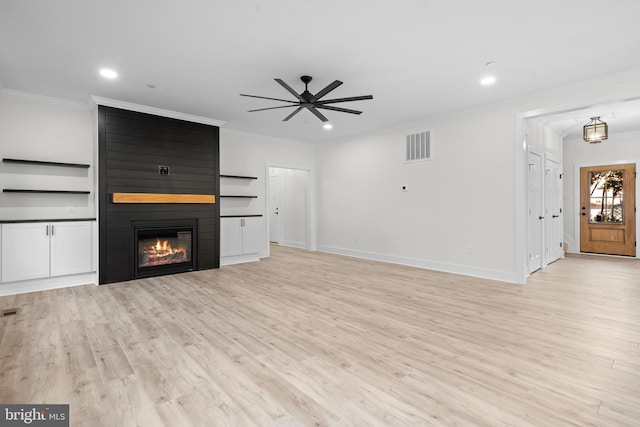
144	153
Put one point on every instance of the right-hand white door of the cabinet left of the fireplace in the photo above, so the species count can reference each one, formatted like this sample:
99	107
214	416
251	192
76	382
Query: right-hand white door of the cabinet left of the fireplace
71	247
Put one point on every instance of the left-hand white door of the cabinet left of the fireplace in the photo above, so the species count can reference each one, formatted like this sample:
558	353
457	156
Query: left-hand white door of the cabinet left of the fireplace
25	251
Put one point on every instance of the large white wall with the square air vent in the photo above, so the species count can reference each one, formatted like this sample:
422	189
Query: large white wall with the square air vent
465	210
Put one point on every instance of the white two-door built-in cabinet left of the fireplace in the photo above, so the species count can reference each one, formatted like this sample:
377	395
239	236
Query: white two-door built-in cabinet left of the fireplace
34	250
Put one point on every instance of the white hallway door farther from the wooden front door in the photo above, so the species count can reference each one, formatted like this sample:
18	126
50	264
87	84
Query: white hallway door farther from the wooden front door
535	213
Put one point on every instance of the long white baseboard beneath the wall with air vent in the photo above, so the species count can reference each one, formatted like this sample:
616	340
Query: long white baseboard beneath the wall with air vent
483	273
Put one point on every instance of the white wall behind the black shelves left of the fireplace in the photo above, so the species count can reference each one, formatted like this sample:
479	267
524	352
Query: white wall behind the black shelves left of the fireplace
34	128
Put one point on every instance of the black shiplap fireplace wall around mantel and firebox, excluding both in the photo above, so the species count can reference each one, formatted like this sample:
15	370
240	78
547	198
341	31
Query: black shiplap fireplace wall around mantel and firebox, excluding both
131	146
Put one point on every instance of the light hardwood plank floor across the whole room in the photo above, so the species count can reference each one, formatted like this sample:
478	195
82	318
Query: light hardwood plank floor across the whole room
304	339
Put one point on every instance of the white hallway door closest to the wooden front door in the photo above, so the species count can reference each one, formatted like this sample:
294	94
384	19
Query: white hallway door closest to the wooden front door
552	211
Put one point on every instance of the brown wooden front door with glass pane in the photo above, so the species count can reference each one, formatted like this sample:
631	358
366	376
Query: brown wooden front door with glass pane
607	209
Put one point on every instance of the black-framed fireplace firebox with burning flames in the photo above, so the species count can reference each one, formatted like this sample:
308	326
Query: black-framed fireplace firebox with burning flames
164	247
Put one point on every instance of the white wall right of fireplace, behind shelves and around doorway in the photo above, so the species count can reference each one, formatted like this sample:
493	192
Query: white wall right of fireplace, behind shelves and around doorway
249	154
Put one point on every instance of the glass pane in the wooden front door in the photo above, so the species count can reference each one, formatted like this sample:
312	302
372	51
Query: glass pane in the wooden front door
606	197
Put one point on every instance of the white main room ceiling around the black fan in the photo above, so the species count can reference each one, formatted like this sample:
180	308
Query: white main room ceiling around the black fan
417	57
